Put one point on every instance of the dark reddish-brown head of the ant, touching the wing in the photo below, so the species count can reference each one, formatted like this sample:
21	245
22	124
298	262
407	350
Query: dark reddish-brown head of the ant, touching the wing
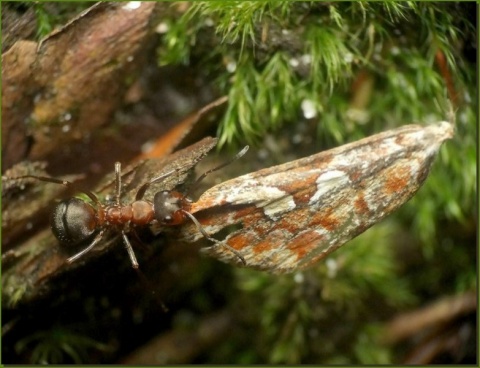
169	207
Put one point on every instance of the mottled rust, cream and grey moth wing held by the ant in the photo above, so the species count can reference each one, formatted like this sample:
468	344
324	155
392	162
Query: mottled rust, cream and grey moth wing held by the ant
290	216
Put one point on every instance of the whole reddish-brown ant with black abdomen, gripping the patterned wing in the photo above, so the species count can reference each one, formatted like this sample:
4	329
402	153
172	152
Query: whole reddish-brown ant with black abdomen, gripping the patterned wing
75	221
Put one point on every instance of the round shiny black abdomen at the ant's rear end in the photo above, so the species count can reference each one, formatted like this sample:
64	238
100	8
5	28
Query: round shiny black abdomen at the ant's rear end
73	221
